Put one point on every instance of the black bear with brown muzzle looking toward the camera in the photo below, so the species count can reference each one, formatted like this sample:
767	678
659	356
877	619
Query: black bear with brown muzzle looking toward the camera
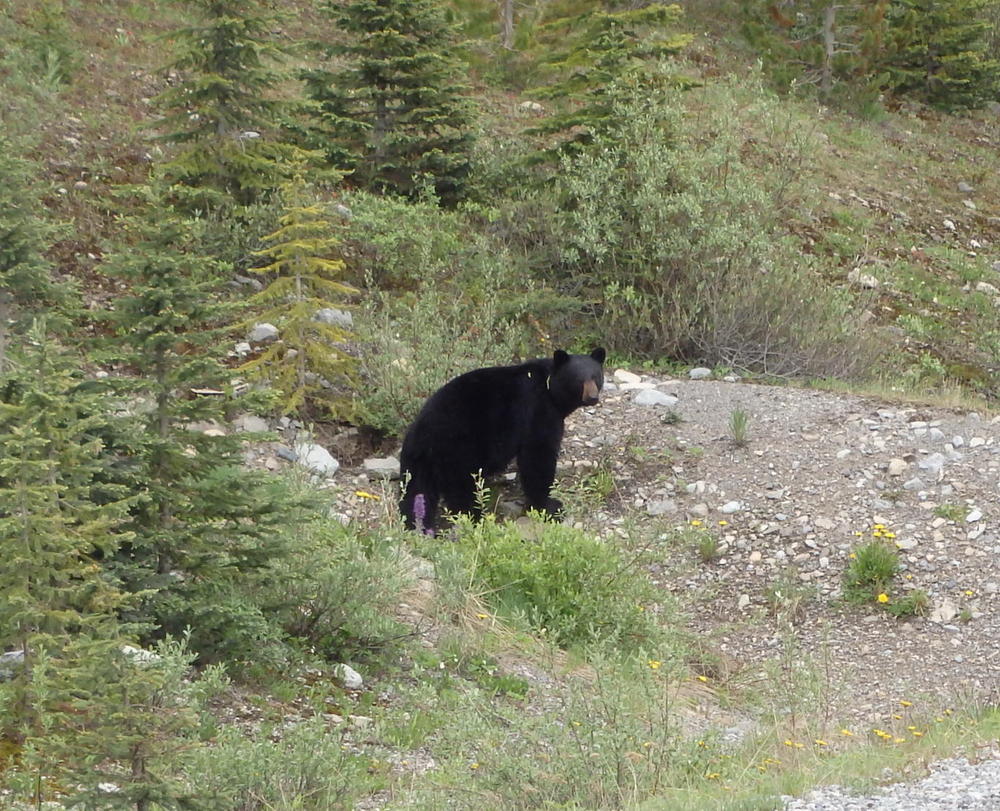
481	420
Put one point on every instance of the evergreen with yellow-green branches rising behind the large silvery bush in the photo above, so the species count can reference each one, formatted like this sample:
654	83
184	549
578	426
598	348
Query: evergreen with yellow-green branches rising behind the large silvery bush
606	50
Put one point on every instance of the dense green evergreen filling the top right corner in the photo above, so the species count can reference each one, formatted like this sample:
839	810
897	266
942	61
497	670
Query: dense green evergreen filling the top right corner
940	52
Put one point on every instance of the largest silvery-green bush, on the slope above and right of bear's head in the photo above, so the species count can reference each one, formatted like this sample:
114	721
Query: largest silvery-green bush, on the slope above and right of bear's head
675	231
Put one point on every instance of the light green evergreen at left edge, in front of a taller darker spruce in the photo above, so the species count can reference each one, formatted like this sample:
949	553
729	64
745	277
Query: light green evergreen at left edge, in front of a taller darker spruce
57	514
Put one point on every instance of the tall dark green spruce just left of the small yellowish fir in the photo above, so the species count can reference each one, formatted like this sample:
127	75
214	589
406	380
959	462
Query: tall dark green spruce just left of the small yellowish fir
204	522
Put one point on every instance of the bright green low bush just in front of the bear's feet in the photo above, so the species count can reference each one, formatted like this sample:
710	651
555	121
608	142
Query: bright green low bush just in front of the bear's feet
574	588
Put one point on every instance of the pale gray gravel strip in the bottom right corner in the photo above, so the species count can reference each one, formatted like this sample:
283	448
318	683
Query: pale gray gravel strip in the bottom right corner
952	785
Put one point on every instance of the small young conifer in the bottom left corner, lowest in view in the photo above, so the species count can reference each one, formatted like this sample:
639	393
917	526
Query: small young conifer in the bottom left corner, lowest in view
118	722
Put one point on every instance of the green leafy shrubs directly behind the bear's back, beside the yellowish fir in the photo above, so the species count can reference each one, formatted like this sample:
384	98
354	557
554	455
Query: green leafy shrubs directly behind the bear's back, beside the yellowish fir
461	310
